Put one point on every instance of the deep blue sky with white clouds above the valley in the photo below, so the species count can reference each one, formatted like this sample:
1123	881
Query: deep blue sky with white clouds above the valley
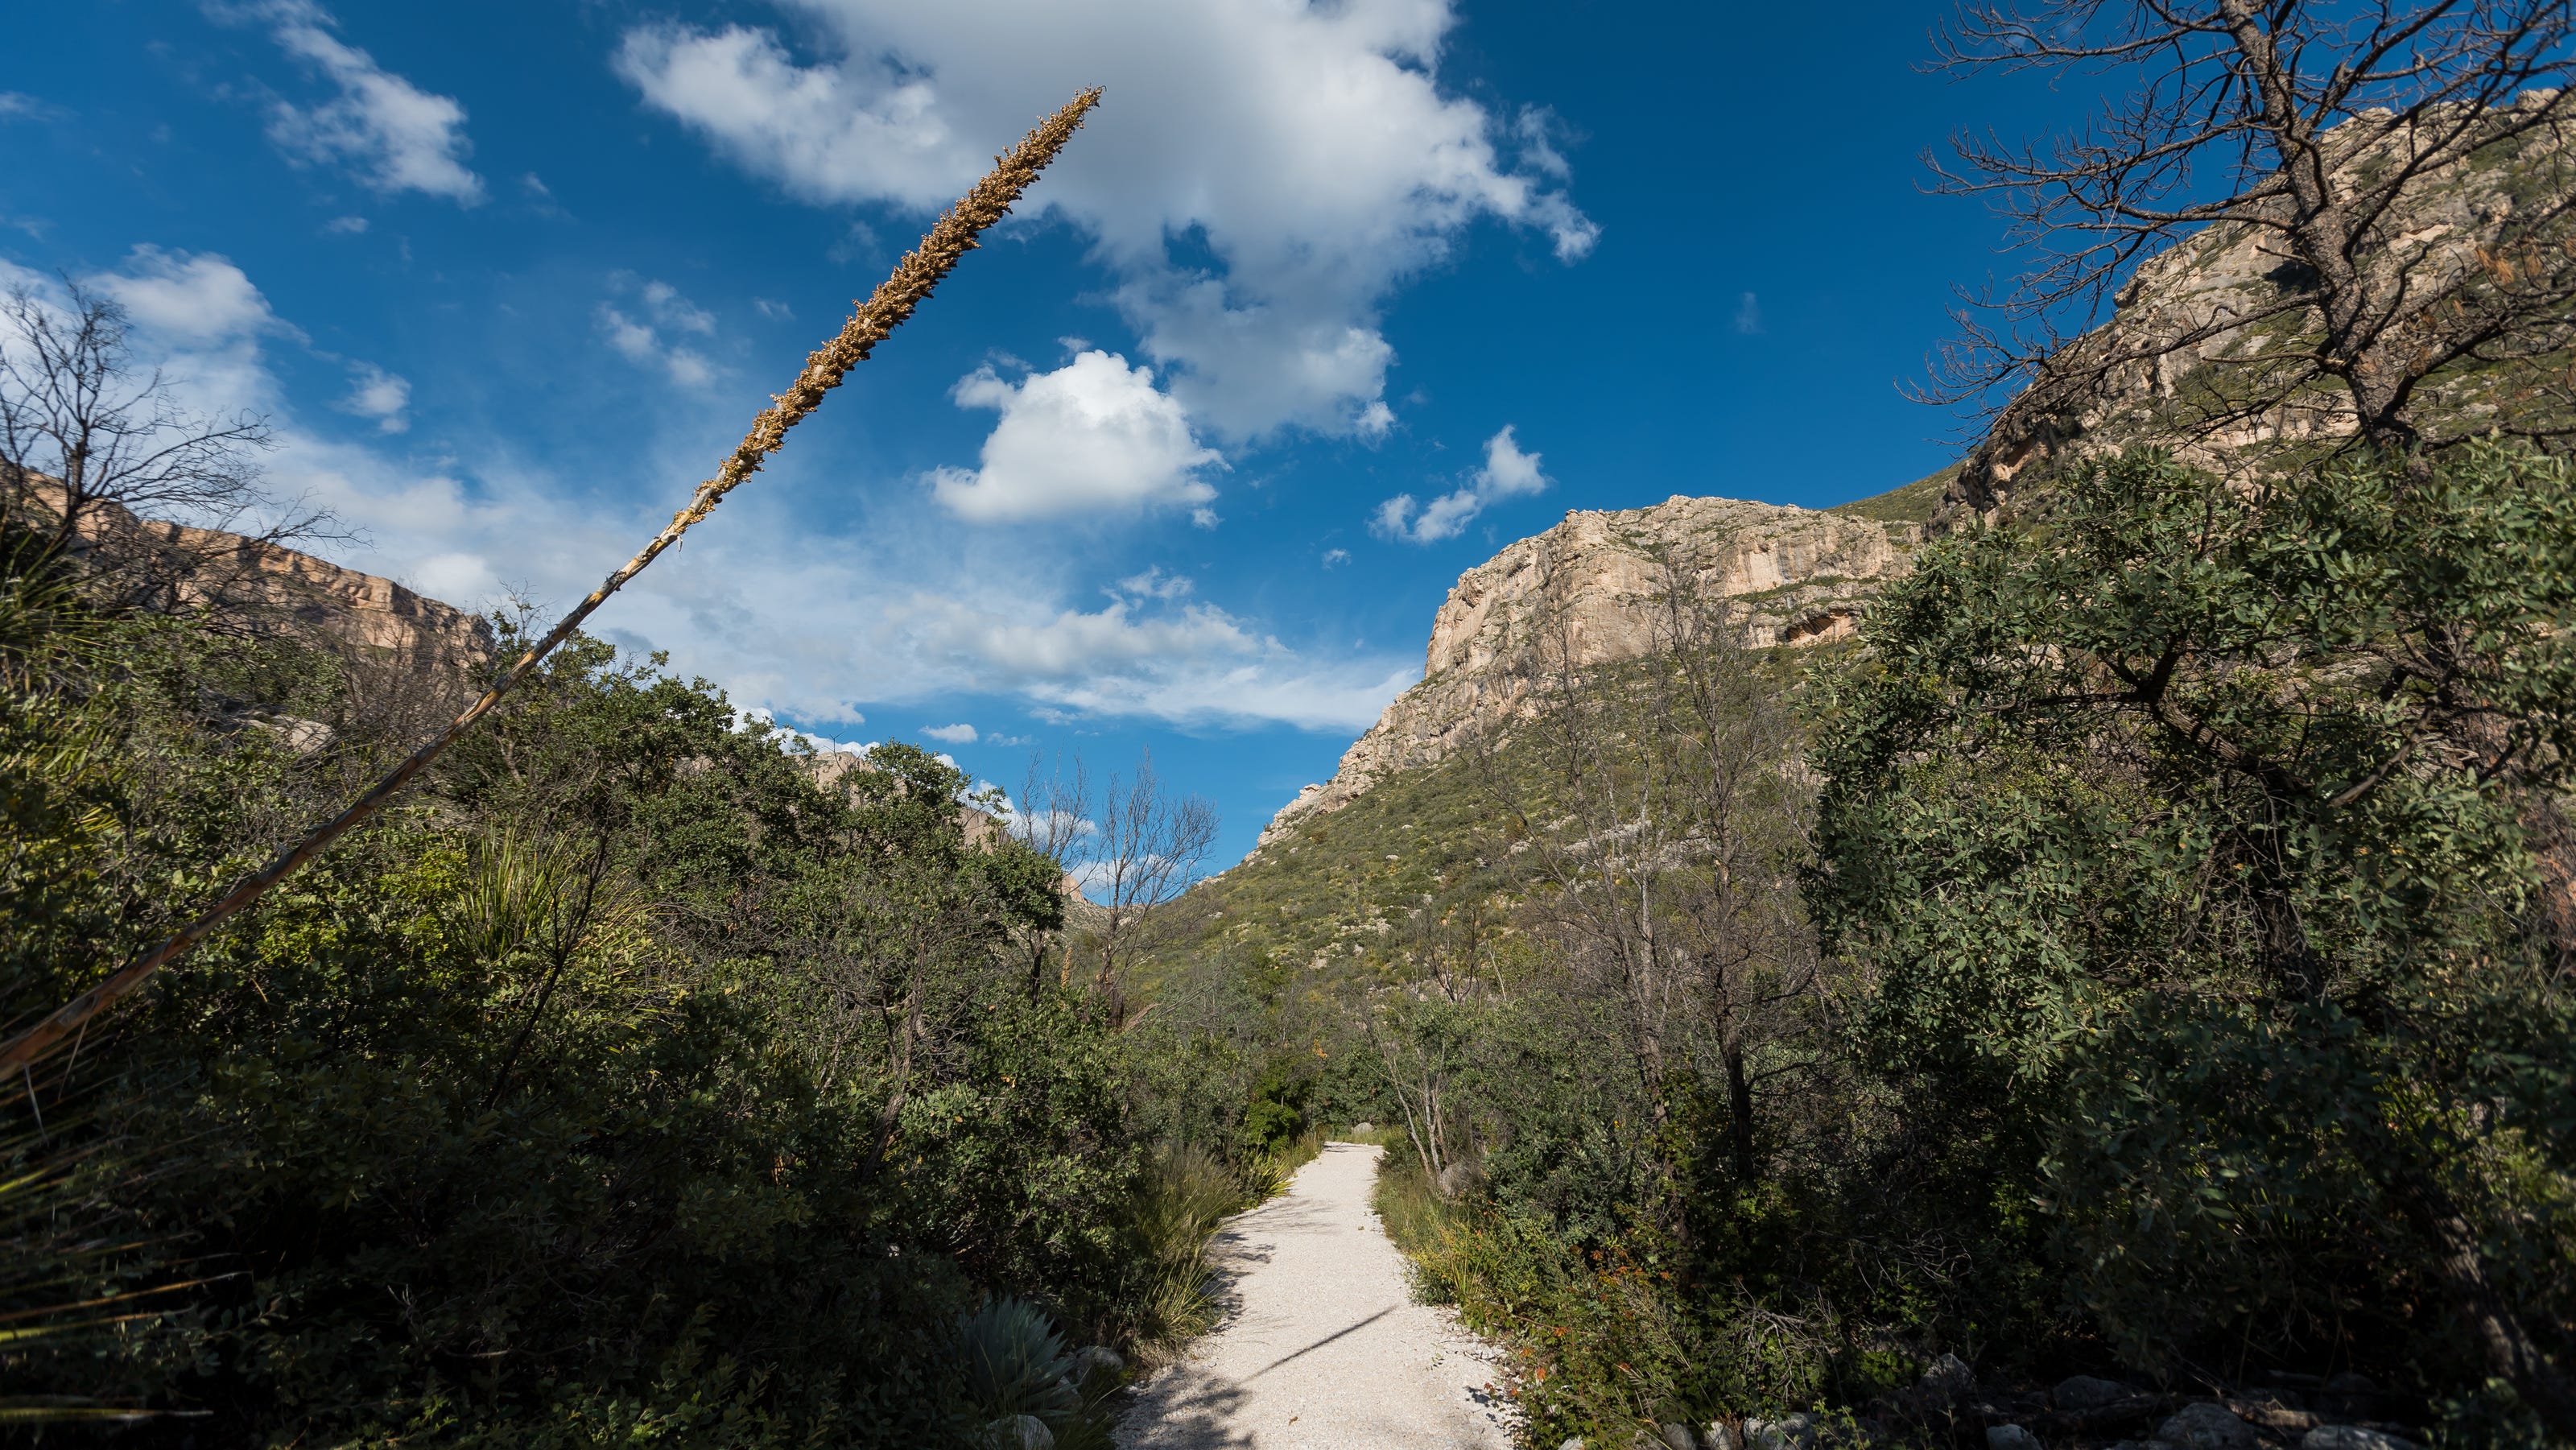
1325	308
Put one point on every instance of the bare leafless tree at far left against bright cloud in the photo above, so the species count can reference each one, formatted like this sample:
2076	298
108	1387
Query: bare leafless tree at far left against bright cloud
91	439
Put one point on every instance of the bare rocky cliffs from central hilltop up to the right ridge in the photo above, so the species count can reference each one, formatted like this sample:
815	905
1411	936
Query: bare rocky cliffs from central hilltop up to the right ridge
2183	334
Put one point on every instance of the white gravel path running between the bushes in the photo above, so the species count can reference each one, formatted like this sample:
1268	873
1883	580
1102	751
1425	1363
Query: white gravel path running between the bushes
1323	1346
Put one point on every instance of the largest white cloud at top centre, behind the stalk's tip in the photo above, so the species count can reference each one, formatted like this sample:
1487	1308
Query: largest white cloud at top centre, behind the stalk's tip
1310	151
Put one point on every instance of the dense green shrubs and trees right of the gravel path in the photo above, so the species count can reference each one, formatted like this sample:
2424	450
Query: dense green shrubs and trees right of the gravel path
2186	995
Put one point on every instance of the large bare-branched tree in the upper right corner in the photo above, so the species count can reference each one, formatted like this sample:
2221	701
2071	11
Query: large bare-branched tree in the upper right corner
2330	138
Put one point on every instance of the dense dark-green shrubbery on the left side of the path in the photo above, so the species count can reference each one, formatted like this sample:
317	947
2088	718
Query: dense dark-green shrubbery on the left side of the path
622	1086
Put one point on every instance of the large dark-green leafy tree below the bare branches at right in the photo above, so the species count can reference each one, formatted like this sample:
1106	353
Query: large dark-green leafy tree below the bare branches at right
2201	838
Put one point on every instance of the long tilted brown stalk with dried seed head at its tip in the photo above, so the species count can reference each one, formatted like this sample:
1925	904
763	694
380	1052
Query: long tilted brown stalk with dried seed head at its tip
895	300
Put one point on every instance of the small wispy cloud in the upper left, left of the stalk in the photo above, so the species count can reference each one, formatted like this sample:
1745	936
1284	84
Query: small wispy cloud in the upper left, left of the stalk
388	130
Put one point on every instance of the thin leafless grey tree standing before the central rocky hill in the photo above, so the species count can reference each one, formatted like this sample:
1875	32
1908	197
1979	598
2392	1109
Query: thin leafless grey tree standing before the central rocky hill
1665	818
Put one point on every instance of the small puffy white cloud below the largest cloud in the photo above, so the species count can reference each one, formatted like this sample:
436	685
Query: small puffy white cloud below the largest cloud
1094	437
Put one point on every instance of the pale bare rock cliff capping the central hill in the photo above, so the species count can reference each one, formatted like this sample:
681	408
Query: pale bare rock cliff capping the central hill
1794	578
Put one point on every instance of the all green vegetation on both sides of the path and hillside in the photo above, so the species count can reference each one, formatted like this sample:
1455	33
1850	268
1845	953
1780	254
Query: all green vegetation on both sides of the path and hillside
2150	962
